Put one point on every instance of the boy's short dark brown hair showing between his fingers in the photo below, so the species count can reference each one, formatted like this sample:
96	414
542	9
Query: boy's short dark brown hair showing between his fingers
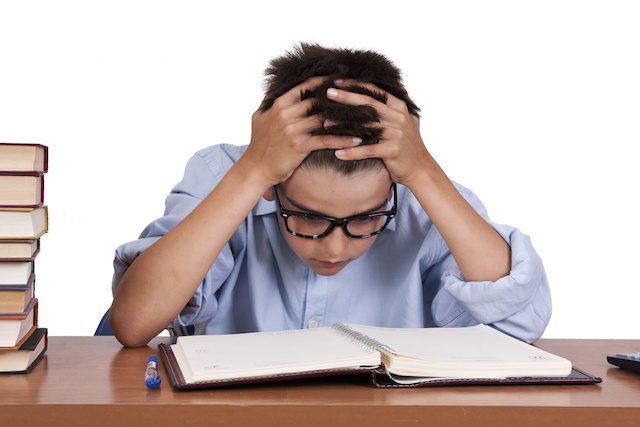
310	60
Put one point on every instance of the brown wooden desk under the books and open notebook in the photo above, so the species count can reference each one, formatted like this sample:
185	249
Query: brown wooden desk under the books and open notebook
94	381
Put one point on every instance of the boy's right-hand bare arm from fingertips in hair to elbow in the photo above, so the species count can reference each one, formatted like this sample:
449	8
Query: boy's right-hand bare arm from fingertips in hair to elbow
480	252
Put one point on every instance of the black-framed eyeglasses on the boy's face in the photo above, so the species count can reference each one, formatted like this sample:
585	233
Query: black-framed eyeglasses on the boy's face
310	226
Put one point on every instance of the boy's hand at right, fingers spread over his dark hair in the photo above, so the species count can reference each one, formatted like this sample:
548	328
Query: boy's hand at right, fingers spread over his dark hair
400	147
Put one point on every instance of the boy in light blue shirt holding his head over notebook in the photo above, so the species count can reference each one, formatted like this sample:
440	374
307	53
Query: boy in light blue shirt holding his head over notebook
335	211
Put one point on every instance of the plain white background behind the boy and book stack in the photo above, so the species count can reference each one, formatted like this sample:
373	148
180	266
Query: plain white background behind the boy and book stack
534	105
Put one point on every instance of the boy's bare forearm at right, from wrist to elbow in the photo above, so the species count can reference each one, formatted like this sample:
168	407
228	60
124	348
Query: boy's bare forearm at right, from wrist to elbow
480	252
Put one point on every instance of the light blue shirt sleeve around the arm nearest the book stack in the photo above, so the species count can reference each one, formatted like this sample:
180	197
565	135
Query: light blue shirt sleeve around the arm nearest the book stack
198	181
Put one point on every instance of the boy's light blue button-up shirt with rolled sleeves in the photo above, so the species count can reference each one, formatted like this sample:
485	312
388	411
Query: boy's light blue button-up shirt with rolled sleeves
407	278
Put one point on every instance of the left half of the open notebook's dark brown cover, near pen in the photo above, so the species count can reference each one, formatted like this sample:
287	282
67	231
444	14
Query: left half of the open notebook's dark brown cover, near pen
177	380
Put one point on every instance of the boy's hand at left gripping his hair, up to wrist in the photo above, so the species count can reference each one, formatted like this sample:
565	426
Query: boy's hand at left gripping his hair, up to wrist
281	136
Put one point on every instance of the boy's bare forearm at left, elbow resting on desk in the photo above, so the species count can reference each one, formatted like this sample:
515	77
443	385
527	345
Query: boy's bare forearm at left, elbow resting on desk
160	282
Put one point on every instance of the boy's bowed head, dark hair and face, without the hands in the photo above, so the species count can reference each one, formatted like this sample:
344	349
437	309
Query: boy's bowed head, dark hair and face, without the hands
324	185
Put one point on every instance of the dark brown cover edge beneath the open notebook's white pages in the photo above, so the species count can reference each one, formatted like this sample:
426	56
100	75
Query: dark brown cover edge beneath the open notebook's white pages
379	379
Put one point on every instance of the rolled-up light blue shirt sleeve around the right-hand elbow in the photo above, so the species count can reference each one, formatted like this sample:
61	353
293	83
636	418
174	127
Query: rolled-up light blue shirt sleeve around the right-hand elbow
518	304
